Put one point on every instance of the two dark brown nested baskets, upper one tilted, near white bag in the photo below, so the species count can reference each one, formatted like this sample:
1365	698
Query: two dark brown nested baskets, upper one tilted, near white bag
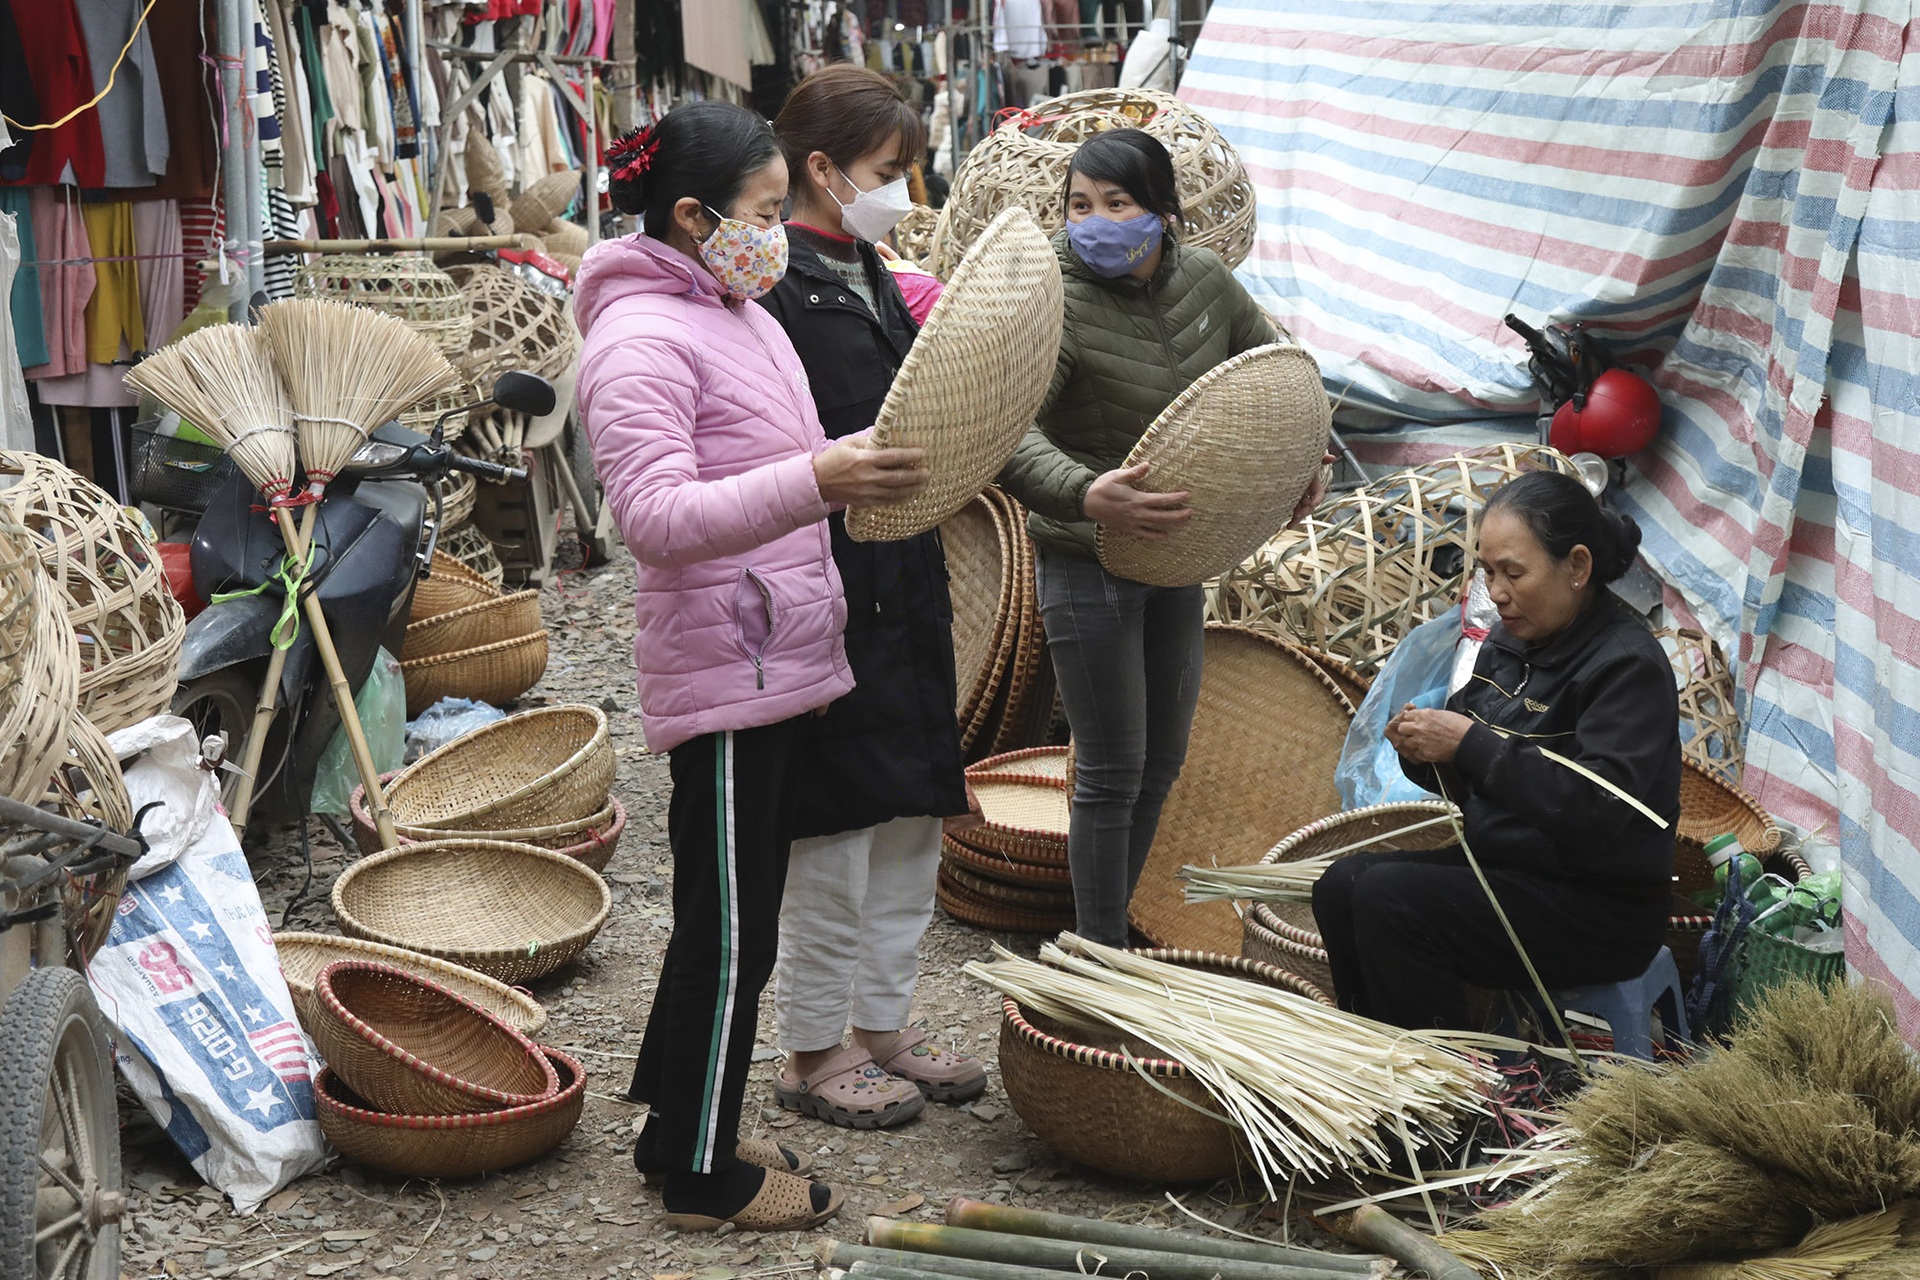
427	1083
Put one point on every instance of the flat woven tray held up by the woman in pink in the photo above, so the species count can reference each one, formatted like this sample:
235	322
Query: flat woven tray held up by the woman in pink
974	379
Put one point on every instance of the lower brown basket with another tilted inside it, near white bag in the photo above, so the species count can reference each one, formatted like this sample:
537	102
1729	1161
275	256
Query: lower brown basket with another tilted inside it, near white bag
450	1147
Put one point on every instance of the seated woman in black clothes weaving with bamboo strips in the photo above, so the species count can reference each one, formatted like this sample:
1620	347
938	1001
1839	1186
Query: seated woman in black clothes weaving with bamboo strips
1583	876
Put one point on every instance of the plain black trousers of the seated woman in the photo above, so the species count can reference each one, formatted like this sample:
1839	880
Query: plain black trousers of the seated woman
1408	932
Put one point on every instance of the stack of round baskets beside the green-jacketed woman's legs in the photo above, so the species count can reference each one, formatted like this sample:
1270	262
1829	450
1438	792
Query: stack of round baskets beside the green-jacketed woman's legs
1011	872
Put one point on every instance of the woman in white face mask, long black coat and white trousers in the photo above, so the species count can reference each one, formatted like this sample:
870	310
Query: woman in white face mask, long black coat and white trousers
884	765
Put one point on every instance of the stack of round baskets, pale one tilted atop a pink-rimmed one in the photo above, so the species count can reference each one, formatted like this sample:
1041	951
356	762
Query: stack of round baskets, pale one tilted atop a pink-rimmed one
542	778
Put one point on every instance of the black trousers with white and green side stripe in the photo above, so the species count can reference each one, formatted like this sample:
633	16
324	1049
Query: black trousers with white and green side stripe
731	824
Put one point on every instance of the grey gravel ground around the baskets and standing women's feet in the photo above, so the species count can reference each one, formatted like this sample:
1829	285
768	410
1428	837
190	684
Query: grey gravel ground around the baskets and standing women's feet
581	1210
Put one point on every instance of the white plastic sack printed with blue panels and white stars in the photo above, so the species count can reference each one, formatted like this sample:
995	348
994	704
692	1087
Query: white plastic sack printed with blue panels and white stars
206	1030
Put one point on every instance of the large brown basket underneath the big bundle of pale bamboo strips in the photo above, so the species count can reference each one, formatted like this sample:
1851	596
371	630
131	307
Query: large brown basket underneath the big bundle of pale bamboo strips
1088	1101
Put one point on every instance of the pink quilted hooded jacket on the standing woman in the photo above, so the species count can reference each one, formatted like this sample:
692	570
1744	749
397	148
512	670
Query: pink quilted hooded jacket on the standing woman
704	437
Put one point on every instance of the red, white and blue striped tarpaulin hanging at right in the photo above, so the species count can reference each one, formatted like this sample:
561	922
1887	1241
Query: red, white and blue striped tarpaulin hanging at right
1727	191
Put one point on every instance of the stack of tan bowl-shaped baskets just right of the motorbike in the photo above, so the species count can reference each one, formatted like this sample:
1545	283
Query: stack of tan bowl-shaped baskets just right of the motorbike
466	640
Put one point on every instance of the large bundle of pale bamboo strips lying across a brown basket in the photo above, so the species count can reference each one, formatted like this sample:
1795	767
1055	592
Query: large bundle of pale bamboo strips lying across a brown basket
1312	1089
